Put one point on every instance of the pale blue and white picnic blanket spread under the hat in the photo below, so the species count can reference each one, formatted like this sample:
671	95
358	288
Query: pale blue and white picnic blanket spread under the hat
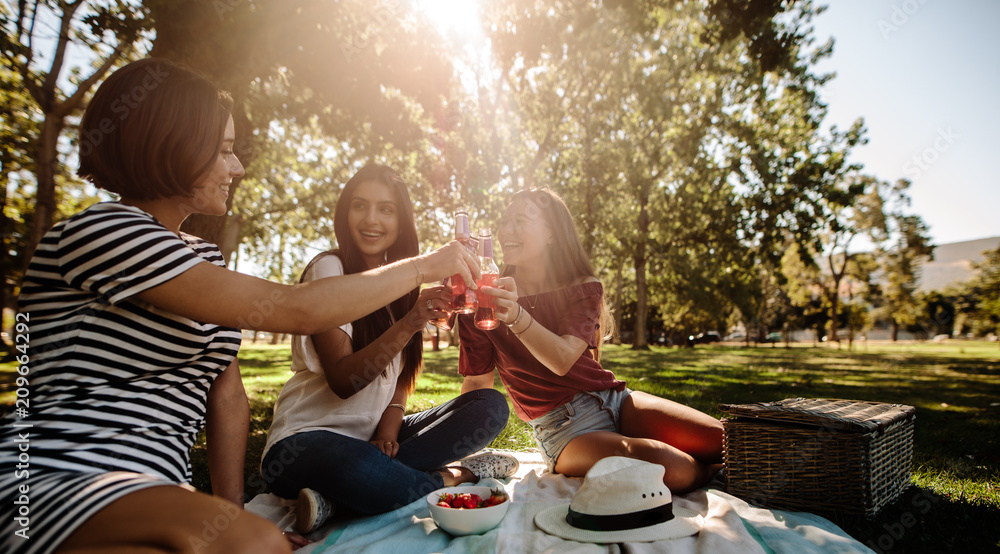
730	525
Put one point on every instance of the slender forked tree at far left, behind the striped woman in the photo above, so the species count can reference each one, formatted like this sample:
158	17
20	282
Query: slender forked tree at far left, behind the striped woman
110	32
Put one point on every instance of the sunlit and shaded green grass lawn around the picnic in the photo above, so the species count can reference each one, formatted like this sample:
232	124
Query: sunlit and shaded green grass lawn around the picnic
952	505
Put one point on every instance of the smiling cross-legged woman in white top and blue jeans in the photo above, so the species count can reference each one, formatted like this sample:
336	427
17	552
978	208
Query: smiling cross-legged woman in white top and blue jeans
340	433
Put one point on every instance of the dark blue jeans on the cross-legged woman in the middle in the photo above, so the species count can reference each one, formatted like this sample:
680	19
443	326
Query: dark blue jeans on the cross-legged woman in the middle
357	476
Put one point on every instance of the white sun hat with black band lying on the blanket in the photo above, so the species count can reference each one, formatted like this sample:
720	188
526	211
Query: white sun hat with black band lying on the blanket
621	500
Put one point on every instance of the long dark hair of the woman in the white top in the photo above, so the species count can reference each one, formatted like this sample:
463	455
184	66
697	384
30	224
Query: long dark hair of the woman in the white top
370	327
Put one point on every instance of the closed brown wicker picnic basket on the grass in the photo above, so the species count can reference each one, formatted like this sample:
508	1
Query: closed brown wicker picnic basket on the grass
818	455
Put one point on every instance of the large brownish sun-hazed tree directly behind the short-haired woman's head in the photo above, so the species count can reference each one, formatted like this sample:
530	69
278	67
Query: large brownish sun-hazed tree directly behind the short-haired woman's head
368	72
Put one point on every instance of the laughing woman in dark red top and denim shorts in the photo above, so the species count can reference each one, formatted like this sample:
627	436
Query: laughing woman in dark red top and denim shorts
547	357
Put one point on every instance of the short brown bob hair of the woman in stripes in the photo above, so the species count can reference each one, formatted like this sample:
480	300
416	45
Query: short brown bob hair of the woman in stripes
152	129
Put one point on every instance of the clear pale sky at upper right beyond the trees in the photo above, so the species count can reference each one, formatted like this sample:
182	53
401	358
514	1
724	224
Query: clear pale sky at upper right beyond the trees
925	76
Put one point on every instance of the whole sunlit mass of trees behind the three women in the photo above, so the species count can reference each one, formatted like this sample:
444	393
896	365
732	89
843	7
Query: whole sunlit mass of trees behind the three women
687	137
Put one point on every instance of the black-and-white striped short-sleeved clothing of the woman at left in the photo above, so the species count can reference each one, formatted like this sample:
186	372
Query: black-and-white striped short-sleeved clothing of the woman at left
115	385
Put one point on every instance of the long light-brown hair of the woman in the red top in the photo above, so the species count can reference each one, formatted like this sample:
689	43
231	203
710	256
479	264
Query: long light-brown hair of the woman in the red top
567	258
